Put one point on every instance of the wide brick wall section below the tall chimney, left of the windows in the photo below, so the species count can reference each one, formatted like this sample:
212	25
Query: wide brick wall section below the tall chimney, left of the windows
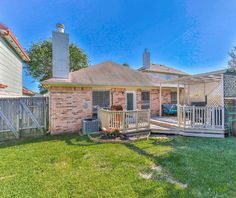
68	106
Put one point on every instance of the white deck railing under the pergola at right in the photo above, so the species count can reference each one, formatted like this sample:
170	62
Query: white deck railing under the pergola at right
207	117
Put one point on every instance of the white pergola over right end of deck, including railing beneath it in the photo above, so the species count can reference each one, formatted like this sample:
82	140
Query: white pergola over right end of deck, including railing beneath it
200	101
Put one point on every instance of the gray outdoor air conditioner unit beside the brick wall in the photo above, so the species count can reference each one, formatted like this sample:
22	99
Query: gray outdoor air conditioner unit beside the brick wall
90	125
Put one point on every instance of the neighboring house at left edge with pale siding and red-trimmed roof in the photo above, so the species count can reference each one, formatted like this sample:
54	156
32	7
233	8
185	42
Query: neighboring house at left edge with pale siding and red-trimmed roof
12	57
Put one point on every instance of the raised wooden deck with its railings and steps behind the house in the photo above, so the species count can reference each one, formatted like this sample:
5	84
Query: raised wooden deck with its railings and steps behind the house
198	122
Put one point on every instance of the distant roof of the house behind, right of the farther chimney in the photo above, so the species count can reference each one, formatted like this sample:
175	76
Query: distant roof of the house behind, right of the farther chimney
163	69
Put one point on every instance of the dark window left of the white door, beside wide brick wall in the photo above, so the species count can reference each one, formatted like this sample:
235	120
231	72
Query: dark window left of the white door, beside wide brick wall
101	99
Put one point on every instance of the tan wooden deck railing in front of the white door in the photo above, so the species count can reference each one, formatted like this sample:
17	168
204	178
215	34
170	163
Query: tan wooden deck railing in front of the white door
124	120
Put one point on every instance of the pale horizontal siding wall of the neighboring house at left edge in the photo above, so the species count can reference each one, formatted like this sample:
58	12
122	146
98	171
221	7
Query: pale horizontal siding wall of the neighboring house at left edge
10	71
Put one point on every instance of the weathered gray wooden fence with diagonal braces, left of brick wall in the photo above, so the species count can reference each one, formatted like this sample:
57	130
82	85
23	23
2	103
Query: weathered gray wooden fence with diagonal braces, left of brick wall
23	113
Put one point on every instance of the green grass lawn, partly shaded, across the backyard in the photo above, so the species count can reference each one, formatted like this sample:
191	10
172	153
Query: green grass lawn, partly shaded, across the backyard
73	166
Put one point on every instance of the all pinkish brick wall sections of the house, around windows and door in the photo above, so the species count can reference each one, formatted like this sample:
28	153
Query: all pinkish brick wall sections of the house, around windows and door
69	105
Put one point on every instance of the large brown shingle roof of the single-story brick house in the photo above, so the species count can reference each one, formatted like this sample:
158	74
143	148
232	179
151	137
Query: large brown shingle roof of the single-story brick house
107	74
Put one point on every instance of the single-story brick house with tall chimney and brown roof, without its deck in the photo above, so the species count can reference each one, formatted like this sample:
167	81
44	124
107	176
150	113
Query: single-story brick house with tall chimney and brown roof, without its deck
75	95
